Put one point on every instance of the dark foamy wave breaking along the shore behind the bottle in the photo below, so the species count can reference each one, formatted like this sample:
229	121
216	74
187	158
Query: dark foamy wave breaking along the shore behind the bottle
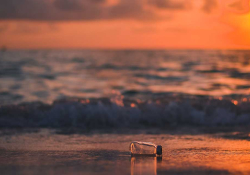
105	113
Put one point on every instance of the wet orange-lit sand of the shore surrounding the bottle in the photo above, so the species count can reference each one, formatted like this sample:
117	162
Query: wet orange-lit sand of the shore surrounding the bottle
46	152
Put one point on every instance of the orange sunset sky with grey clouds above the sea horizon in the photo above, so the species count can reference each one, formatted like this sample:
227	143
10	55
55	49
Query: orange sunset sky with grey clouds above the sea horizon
125	24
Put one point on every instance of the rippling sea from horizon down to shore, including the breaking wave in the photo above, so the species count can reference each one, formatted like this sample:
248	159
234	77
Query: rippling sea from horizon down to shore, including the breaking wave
101	89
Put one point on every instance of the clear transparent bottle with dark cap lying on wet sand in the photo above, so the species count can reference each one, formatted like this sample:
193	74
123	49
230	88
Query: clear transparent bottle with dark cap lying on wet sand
145	148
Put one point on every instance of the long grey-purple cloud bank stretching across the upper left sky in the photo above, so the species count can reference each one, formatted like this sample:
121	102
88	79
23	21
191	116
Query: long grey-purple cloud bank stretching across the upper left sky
65	10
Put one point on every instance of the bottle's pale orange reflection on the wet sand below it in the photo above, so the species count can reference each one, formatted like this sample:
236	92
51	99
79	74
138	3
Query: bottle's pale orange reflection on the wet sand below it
144	165
